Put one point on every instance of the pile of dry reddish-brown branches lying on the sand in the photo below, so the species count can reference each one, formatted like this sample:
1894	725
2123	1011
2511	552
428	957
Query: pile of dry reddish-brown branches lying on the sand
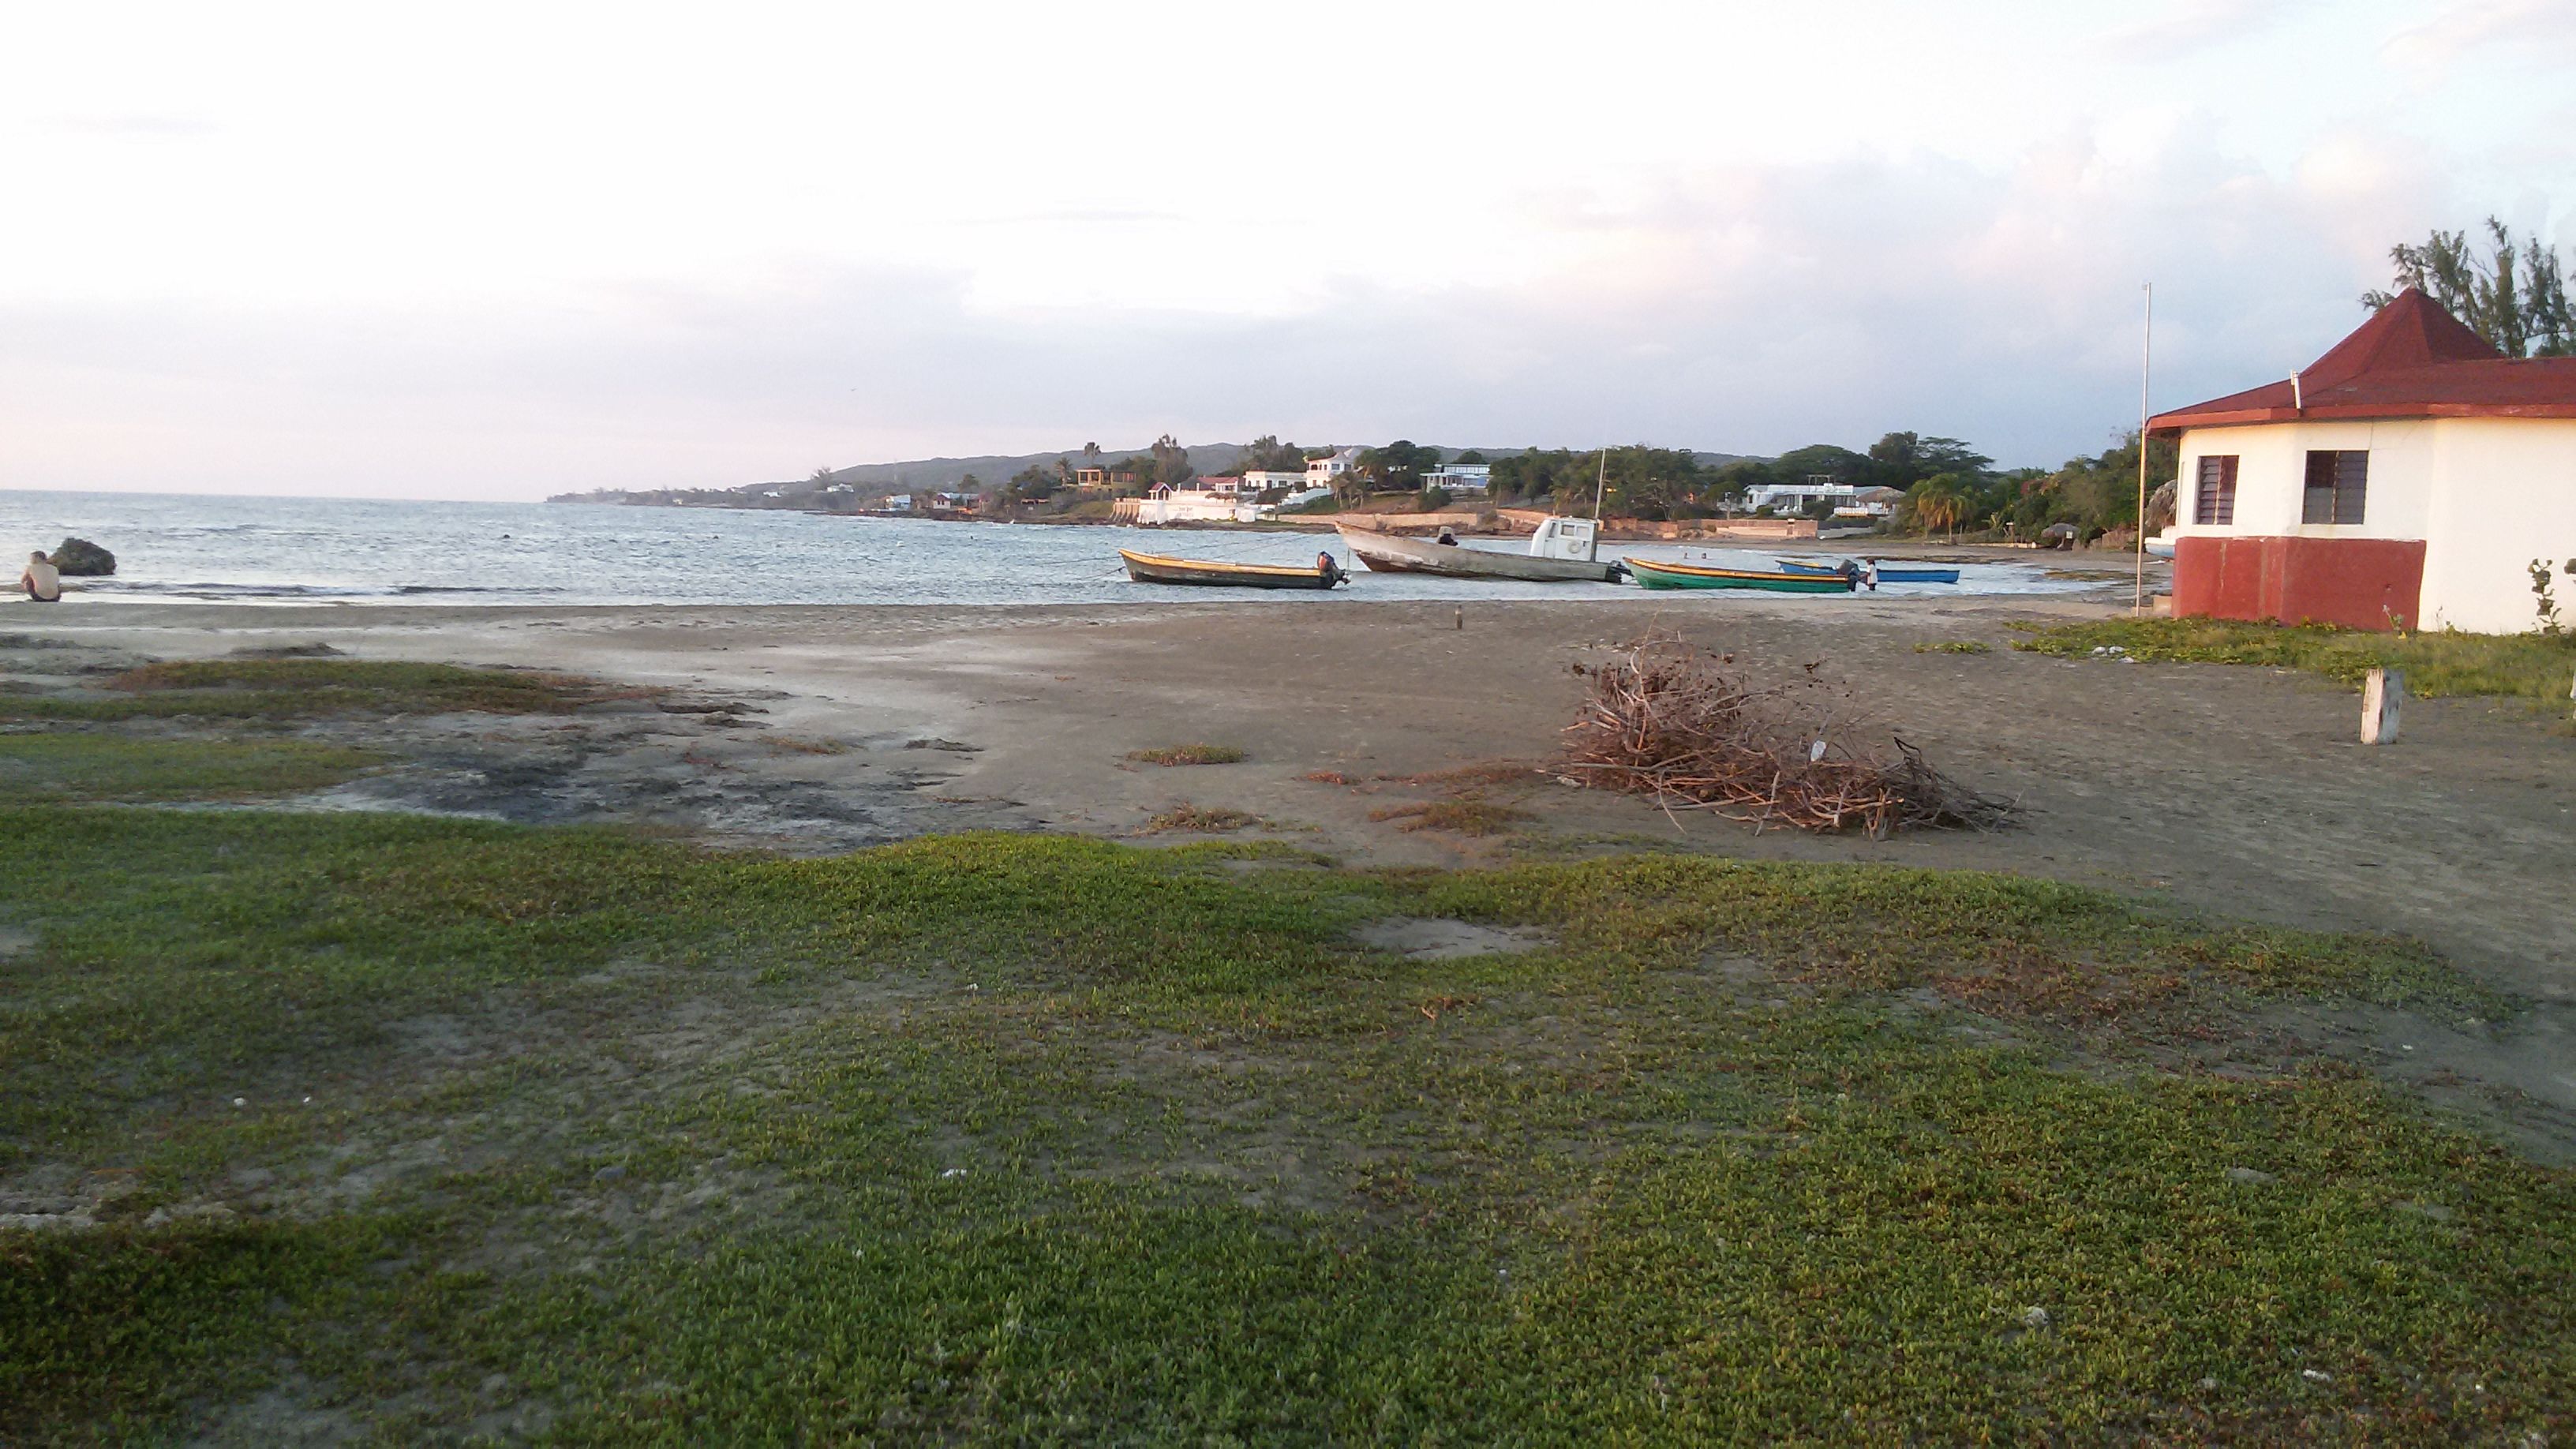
1699	734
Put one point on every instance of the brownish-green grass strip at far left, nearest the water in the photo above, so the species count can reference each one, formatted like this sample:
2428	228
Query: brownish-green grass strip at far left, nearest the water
305	690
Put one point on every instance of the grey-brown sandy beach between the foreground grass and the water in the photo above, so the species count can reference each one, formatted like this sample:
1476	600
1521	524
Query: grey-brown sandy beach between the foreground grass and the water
2230	790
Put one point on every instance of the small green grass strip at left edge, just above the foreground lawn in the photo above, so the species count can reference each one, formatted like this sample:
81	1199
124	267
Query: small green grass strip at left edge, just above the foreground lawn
130	770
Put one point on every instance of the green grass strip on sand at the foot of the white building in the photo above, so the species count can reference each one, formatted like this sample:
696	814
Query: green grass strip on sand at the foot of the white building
2515	666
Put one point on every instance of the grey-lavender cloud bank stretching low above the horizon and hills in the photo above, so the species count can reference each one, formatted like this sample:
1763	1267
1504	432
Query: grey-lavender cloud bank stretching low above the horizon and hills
1743	308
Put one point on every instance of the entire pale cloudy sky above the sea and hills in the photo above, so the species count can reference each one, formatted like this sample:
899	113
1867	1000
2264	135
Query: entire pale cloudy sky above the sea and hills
506	251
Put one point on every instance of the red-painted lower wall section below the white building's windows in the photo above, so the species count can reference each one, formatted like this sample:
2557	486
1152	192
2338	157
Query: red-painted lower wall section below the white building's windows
2361	584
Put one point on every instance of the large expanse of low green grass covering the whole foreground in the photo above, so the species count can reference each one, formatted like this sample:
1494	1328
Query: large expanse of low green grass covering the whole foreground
439	1128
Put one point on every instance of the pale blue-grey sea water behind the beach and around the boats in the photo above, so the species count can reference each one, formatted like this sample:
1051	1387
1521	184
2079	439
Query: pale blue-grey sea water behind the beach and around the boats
354	550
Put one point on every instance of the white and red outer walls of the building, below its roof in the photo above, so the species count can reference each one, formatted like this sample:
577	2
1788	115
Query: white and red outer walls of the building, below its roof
2485	496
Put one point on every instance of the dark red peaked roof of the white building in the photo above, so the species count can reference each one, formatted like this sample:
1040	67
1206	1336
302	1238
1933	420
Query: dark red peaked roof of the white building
2410	360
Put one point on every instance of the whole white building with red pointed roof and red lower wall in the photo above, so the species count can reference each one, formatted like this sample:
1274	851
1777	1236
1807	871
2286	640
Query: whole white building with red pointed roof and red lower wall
2407	478
